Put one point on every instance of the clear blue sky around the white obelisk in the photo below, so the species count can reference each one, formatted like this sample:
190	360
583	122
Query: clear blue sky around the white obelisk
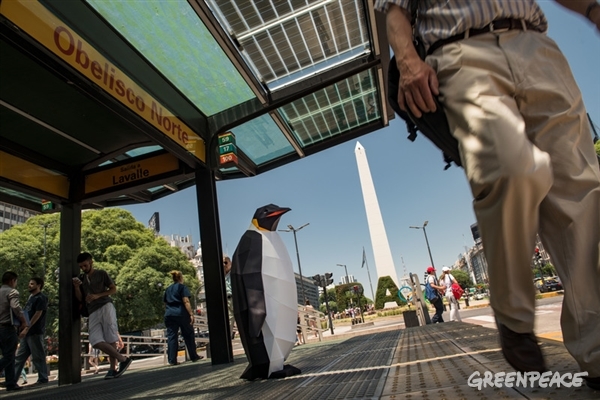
411	185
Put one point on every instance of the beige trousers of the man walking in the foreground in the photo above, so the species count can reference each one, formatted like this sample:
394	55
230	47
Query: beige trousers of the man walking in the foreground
526	146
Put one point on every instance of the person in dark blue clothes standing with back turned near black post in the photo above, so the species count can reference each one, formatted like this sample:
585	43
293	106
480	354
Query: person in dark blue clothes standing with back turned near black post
179	315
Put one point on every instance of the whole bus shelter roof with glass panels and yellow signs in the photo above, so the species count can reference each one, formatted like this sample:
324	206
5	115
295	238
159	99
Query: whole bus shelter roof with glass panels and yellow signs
155	81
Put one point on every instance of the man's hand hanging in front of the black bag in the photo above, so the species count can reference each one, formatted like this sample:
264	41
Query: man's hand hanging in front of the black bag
417	87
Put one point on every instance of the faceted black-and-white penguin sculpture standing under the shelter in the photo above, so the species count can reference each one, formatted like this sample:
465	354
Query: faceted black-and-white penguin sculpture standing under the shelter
265	303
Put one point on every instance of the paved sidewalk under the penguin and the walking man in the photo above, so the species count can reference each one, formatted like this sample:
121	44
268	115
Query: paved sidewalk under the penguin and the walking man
430	362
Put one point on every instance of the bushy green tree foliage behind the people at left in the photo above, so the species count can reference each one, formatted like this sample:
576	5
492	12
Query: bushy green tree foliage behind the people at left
138	263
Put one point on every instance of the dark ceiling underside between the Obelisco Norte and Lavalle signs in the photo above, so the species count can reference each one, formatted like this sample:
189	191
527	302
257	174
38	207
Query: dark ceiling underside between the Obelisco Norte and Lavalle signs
37	92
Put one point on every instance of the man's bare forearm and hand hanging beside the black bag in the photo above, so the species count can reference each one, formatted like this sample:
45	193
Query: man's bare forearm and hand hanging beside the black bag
418	81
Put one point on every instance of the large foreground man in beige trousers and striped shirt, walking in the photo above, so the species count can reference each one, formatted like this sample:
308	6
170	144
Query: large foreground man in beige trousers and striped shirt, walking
526	148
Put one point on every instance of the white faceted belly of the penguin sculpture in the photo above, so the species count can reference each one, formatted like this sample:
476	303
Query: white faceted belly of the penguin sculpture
281	300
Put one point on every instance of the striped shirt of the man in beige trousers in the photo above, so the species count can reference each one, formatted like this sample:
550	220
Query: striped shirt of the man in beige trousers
440	19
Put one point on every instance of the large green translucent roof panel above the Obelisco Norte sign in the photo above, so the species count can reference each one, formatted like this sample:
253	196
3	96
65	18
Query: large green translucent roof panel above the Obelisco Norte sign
174	40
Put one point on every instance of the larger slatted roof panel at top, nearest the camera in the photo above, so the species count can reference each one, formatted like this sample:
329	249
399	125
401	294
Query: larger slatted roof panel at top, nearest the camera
288	41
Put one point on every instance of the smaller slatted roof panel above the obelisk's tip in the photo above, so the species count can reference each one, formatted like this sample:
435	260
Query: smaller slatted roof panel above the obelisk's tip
338	108
